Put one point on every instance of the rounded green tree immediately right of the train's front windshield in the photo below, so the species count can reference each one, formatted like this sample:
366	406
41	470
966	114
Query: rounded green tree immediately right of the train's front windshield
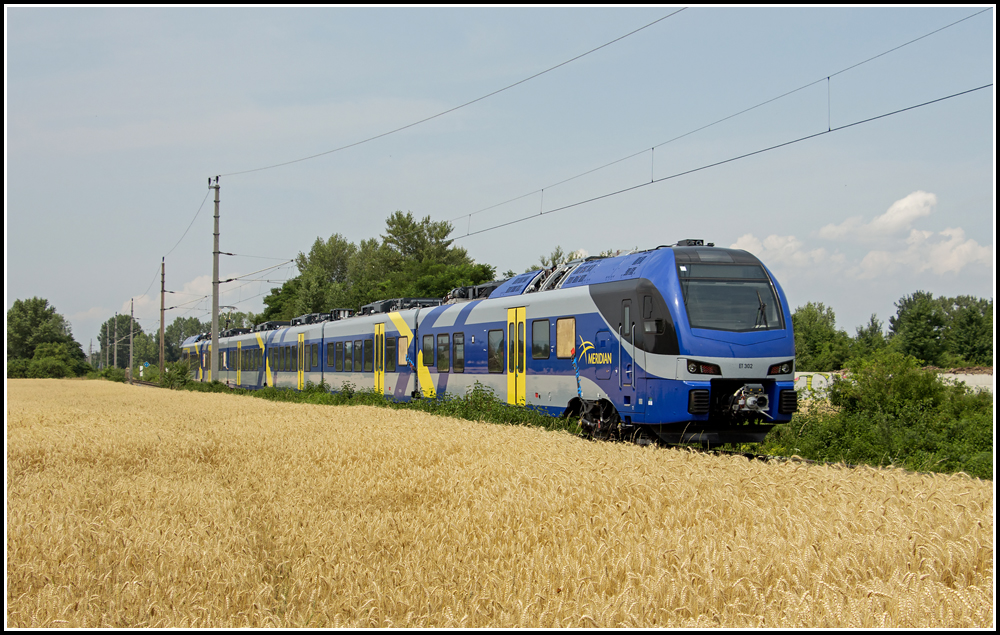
819	345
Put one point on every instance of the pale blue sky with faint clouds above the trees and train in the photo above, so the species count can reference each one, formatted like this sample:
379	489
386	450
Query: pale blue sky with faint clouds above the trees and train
115	118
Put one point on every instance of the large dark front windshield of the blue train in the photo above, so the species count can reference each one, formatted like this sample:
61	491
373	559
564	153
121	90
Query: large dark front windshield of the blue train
729	297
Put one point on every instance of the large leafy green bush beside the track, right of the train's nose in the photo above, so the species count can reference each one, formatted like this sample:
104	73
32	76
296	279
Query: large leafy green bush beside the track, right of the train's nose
892	412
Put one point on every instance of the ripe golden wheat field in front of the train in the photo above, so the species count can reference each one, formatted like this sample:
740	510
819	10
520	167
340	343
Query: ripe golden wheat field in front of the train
131	506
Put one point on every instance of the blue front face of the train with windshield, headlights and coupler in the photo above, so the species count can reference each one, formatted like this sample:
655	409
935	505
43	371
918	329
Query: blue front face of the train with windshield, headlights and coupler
733	374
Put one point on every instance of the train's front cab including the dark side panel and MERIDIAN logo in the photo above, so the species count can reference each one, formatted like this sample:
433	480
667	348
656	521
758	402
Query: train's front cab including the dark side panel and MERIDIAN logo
694	337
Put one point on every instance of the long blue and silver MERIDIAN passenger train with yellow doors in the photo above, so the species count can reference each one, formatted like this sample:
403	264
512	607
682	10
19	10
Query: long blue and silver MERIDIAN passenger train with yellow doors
688	343
